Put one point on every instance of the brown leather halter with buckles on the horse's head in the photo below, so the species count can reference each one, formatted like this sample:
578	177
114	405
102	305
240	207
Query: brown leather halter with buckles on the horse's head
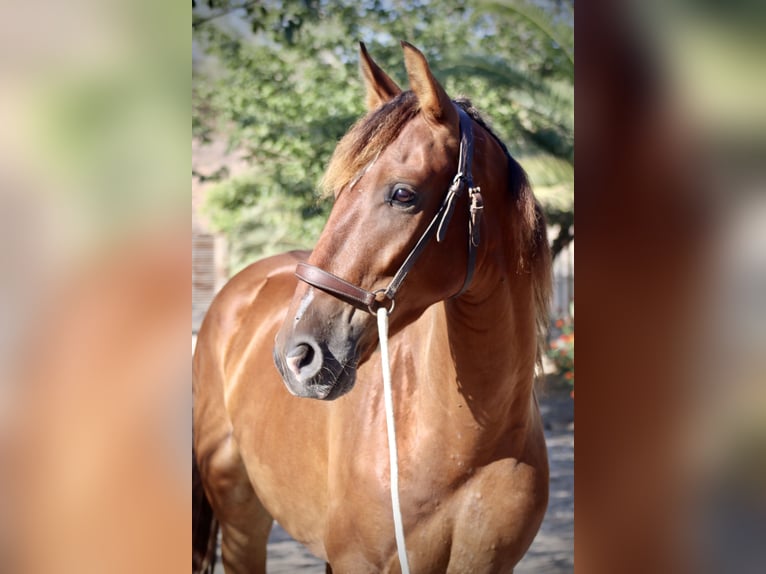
372	300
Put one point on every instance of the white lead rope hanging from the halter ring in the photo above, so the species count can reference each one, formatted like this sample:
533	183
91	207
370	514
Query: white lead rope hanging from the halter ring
392	454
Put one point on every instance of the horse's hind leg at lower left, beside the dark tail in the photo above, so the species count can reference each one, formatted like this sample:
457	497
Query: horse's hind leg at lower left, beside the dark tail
245	523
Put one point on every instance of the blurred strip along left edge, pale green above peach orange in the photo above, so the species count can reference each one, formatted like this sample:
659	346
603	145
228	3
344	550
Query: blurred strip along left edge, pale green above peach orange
94	289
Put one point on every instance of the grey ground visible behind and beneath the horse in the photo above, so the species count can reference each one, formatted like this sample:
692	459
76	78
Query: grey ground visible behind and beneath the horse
552	552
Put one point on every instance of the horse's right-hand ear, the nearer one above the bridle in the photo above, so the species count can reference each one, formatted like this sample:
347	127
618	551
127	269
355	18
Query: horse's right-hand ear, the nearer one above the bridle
434	101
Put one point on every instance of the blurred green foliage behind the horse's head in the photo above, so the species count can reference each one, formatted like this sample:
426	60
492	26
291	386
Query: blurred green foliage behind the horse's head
281	81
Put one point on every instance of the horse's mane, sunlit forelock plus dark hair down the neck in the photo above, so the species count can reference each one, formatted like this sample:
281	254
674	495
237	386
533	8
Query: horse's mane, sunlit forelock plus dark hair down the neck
379	128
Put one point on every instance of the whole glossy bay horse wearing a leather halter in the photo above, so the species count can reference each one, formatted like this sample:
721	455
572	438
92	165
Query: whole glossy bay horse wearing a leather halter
434	222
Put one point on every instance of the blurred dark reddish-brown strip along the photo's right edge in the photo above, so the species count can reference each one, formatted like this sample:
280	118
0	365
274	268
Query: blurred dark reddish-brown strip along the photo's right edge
671	402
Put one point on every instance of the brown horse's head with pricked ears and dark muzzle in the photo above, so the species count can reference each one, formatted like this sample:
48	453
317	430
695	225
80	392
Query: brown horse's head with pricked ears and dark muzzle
402	207
